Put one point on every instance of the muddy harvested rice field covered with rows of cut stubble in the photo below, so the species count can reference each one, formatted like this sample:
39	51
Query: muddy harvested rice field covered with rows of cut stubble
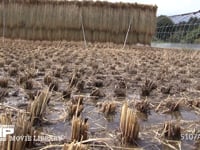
100	96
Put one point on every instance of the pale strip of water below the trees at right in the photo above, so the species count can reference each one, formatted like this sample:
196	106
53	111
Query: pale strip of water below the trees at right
176	45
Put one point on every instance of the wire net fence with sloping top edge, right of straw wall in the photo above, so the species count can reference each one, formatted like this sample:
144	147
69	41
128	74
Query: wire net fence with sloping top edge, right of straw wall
182	28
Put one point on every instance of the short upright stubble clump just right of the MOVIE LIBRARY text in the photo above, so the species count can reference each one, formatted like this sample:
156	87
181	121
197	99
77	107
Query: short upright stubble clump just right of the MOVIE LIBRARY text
79	129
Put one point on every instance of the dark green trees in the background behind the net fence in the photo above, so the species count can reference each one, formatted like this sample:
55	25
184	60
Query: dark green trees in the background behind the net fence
185	32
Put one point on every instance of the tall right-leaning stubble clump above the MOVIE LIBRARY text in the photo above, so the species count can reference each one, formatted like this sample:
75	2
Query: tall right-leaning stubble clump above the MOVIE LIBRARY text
38	106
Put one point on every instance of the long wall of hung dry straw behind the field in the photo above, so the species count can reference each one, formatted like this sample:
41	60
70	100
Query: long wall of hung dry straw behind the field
58	20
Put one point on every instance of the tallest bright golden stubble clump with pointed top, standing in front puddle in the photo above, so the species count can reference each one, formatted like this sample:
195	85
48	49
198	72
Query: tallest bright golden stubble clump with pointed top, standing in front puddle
129	125
